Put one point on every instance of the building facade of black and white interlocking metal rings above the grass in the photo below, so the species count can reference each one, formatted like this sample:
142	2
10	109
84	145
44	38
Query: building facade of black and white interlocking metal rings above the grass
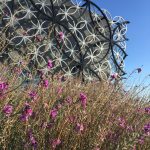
80	38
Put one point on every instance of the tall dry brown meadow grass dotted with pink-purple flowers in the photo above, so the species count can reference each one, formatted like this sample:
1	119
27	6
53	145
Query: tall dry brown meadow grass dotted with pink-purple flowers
69	115
